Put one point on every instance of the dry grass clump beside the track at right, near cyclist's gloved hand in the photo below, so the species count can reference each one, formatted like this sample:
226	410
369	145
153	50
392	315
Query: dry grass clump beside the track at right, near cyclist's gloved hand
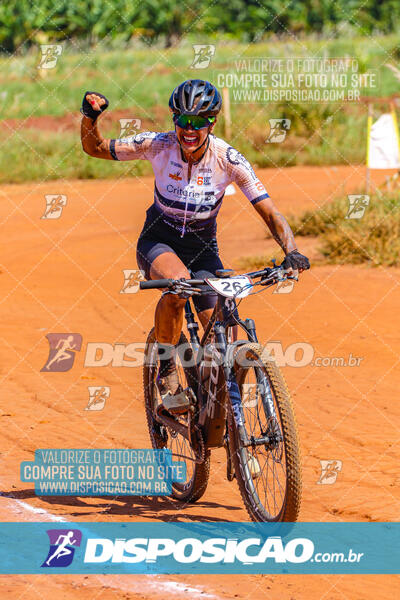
374	239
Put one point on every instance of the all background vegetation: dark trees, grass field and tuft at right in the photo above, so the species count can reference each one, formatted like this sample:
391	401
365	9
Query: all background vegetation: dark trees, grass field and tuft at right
136	52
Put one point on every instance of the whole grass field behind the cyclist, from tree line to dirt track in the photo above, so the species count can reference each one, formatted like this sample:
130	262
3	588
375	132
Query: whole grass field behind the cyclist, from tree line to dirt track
140	80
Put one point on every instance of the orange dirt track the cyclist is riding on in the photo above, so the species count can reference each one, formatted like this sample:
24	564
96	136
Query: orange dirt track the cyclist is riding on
65	276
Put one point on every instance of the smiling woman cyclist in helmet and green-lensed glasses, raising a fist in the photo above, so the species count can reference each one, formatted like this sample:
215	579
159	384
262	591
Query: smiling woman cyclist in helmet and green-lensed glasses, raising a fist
192	168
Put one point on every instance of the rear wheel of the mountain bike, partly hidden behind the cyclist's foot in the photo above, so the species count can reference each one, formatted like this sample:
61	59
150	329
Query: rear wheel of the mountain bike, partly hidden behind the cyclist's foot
197	474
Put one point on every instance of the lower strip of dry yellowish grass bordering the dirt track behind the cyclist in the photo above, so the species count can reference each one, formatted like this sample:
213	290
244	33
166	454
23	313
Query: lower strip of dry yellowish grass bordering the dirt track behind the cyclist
33	154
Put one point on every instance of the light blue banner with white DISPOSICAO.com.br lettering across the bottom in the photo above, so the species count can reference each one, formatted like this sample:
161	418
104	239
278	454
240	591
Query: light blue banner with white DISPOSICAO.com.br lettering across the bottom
200	548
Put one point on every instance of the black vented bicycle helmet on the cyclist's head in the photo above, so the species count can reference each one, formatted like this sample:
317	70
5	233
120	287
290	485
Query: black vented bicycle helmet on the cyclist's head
195	97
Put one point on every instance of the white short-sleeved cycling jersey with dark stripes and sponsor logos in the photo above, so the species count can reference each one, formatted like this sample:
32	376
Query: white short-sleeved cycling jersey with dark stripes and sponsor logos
193	204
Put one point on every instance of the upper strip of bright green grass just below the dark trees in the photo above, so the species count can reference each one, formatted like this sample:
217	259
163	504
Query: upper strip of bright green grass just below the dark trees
145	77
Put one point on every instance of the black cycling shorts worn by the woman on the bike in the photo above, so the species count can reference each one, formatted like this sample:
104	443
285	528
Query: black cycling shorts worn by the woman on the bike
198	252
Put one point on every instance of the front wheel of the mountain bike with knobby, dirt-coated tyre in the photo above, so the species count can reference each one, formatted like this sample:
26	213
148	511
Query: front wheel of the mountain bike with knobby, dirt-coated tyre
264	450
